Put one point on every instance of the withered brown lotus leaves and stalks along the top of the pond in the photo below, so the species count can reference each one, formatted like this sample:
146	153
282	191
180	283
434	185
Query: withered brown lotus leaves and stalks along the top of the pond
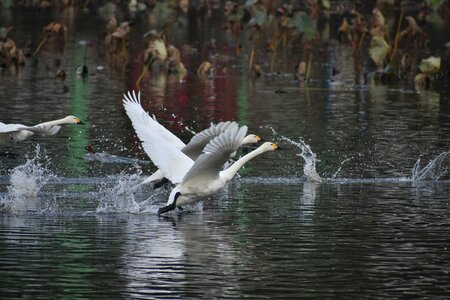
387	44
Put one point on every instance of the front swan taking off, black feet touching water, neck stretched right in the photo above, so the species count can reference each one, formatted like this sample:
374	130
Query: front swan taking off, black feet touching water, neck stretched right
203	177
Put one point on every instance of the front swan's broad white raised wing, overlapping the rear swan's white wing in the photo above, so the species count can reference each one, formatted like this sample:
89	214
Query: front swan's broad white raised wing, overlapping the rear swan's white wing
173	163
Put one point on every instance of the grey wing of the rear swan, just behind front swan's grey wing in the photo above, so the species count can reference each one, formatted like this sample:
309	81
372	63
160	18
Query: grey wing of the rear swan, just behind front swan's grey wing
198	142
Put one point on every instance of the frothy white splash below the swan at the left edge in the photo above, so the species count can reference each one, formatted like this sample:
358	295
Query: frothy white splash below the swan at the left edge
26	181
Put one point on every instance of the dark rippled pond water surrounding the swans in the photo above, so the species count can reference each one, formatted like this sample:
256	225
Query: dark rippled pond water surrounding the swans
72	228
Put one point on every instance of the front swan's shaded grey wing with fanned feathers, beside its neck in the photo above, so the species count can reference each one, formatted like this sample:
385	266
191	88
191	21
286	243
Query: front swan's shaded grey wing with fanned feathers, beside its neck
216	153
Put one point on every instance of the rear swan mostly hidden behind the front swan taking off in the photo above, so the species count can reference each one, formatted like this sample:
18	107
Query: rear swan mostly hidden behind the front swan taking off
139	117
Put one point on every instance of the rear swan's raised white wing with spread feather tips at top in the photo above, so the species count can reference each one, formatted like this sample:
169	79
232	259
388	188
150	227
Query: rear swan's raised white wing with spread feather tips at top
137	115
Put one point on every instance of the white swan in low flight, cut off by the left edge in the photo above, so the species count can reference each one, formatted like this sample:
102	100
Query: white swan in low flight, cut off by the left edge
19	132
